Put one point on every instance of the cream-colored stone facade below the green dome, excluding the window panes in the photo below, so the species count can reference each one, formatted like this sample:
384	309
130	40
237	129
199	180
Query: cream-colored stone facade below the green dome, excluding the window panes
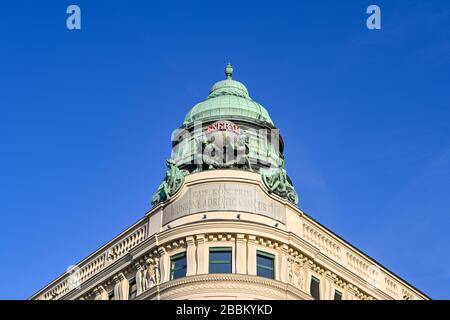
228	208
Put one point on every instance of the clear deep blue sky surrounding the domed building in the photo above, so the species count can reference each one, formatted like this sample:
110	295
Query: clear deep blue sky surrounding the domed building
86	118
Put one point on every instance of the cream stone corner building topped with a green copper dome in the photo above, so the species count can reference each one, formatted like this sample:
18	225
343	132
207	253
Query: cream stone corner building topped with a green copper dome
225	224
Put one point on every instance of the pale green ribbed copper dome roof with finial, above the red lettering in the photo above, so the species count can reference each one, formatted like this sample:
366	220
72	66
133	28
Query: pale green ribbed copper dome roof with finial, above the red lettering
228	99
